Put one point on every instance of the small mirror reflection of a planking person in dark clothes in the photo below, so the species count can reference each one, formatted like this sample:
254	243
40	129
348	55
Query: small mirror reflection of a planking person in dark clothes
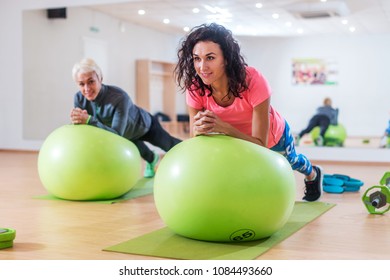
325	115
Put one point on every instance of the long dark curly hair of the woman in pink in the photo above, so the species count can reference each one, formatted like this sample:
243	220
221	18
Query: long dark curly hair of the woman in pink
185	74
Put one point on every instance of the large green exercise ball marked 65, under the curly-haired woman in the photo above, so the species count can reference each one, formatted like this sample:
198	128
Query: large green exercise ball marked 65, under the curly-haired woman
223	189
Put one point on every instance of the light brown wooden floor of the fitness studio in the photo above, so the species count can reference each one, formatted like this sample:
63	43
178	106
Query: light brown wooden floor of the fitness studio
64	230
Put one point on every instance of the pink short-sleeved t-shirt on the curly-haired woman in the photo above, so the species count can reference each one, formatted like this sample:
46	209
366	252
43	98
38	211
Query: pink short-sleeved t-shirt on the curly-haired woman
239	114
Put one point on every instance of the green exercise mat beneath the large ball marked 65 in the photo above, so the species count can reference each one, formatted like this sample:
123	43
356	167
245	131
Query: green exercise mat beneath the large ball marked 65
164	243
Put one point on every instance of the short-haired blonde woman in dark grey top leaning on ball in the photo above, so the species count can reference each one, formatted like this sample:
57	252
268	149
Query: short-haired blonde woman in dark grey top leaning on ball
110	108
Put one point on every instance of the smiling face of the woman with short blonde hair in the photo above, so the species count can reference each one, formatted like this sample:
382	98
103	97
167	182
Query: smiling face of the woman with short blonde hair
89	84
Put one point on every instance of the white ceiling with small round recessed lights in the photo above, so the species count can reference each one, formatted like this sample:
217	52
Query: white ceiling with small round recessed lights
243	18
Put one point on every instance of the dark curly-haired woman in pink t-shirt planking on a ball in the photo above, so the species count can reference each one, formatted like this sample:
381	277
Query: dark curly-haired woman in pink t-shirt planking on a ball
225	95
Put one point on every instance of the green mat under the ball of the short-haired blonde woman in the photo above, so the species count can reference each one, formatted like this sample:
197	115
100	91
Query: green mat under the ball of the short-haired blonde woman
143	187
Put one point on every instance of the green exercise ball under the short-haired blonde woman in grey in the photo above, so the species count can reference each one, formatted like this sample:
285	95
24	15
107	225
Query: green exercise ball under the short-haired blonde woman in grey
83	162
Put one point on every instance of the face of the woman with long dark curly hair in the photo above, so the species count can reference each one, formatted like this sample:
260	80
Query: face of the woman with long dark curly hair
209	63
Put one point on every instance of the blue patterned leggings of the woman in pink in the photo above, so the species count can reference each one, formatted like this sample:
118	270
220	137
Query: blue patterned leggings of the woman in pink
286	147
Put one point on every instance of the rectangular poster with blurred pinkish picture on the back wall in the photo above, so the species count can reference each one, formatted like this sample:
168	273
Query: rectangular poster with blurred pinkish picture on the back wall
314	71
